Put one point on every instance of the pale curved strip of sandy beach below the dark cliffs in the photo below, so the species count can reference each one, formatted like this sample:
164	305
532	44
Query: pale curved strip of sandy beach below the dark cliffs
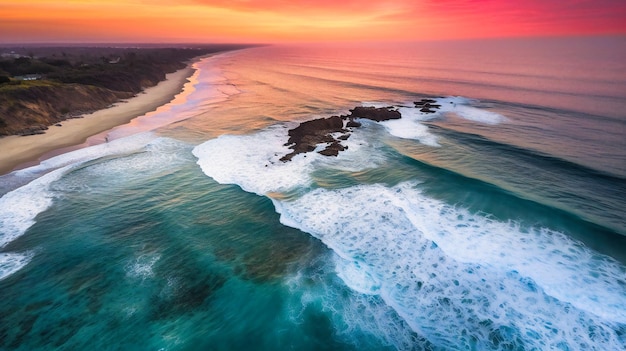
18	150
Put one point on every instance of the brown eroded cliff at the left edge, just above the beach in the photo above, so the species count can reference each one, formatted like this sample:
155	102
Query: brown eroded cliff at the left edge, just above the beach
30	107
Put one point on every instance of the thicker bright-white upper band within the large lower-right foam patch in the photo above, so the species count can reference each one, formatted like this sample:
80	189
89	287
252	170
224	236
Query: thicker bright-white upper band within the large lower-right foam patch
564	268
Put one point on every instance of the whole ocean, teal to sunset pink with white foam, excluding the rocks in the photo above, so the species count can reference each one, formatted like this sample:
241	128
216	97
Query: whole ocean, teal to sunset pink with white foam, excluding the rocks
498	222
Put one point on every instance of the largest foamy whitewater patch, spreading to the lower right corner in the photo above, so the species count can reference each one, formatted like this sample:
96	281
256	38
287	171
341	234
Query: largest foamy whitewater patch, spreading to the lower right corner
493	291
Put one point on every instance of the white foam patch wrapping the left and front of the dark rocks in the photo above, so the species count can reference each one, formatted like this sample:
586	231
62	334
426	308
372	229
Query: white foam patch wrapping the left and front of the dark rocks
253	161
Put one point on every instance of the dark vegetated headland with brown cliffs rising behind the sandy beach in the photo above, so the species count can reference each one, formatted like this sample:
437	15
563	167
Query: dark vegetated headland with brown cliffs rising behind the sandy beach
69	81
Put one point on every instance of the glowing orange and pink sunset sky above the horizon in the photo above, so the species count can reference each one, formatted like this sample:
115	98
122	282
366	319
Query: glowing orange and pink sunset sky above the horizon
67	21
